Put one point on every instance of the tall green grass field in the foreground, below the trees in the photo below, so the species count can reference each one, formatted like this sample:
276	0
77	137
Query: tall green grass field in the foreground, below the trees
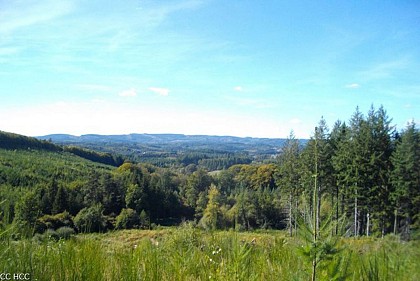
187	253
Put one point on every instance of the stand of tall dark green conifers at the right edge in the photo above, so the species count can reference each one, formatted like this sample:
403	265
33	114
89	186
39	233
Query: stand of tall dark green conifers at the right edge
365	170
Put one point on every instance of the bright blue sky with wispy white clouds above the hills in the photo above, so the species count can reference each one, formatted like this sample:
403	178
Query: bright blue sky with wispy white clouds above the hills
242	68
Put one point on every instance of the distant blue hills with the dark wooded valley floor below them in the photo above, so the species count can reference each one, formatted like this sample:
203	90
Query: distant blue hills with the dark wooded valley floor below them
176	150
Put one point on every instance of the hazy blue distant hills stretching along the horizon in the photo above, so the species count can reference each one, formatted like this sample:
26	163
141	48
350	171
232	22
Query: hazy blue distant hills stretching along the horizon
172	144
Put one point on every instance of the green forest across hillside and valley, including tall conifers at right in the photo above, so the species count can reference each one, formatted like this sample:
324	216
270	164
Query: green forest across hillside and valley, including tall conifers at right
366	175
